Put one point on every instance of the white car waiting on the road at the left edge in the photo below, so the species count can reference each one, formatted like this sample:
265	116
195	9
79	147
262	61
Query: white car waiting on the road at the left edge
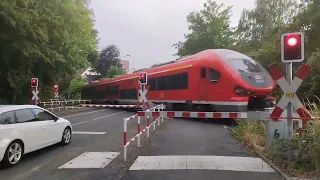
27	128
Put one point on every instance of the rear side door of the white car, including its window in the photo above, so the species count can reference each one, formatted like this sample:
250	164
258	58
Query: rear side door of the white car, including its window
31	129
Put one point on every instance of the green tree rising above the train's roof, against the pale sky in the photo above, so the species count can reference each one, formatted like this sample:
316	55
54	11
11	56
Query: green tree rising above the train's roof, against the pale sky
210	29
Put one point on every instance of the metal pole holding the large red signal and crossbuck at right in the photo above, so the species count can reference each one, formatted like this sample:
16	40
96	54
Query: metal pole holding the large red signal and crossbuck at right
289	112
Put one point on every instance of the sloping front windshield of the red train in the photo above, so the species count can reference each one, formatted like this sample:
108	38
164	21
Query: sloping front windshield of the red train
240	62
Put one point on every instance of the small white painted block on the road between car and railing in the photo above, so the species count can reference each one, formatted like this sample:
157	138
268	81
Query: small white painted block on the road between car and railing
91	160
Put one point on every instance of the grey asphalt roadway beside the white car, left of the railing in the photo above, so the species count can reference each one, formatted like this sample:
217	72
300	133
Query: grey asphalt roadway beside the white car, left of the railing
43	164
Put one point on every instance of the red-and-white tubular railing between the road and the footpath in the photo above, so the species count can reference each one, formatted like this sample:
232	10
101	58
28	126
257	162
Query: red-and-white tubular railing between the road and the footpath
157	120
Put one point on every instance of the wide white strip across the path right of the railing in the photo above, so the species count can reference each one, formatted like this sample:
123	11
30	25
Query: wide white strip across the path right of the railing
230	163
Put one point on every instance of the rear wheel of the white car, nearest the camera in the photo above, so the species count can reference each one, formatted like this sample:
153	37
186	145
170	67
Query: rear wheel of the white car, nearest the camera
13	154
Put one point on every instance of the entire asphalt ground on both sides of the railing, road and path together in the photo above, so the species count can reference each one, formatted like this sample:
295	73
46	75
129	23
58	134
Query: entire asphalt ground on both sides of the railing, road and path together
178	149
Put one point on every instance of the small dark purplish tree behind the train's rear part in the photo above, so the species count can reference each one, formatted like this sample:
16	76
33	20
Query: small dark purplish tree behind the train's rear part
109	56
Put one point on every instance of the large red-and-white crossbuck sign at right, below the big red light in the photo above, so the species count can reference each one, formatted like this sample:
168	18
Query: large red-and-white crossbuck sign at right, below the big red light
290	92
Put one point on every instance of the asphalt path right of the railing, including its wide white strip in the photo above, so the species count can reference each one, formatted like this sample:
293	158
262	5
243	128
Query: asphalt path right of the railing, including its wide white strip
197	149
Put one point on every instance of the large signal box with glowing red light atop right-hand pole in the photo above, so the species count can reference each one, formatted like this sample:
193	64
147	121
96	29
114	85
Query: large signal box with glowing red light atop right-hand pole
292	47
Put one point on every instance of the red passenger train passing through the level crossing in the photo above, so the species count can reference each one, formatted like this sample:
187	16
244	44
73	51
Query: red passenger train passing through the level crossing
219	80
